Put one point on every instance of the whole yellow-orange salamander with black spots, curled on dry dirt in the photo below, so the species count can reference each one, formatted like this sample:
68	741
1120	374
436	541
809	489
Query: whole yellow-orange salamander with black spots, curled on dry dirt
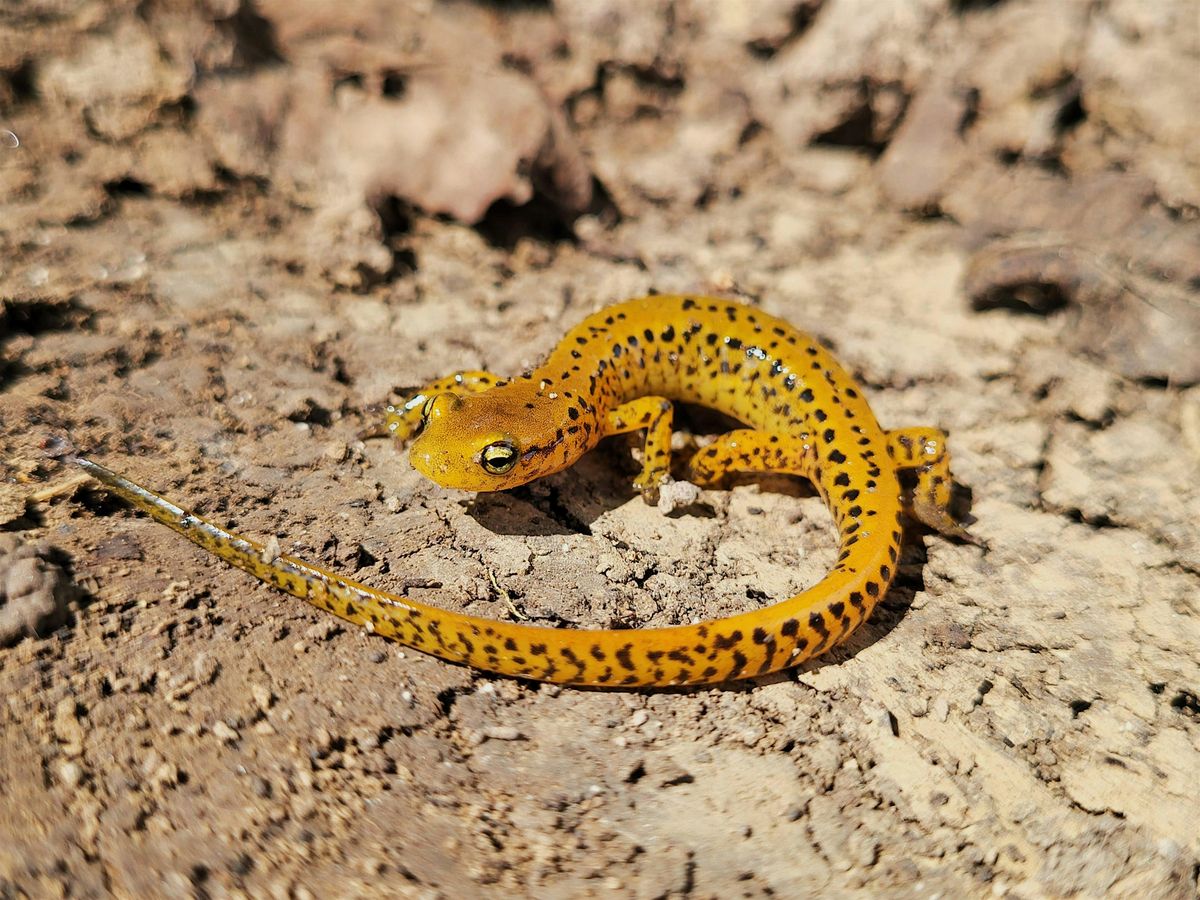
619	371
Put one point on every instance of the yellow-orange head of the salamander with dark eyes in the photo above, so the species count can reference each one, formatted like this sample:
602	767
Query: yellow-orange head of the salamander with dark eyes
494	441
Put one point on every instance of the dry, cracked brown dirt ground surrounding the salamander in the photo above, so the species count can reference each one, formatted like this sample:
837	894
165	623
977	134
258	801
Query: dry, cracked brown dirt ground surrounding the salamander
233	230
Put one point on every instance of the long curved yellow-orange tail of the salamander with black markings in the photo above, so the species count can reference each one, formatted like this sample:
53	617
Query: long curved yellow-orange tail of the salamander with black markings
747	645
